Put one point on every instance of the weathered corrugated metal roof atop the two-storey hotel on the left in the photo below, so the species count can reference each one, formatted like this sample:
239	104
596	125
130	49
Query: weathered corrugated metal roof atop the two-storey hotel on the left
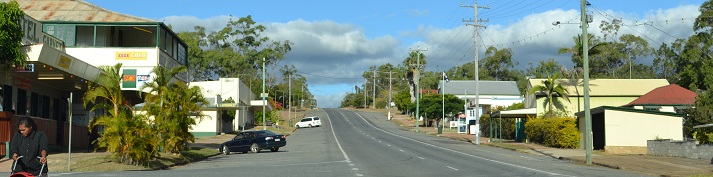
72	10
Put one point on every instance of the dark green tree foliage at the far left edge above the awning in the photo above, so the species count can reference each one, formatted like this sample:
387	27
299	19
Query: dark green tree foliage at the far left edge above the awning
11	35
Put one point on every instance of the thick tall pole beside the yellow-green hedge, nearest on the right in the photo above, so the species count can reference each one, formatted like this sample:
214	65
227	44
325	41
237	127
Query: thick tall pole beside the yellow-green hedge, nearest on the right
585	56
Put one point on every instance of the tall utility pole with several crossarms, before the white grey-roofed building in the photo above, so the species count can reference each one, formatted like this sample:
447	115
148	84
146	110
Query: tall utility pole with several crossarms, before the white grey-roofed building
476	26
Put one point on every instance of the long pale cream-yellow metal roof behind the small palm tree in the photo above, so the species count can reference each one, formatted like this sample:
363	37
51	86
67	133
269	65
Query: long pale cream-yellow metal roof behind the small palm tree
607	87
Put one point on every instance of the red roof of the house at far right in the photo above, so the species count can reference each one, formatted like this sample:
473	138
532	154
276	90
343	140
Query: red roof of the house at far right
666	95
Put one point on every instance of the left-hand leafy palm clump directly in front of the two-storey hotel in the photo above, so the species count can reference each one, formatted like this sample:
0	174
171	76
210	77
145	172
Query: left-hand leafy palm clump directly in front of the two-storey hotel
125	136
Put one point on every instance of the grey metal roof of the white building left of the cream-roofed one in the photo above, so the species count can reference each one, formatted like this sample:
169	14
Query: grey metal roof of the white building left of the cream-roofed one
457	87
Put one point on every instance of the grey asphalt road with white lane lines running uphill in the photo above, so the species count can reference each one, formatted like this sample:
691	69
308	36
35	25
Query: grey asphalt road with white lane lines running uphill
366	144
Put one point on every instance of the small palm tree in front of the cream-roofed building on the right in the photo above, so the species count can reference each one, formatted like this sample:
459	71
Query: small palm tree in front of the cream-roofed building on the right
552	91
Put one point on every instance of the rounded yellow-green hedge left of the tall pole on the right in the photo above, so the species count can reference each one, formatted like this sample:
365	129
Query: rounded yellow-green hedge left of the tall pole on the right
560	132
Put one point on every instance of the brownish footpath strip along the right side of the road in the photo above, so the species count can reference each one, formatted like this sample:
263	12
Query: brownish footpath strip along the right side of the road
638	163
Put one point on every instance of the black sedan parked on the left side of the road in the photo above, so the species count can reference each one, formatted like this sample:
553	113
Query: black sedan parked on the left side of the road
253	141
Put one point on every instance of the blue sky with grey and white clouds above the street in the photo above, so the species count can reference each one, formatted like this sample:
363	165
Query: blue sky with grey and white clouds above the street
335	41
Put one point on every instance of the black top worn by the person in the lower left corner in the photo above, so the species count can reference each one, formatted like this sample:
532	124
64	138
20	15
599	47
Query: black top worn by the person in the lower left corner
30	148
